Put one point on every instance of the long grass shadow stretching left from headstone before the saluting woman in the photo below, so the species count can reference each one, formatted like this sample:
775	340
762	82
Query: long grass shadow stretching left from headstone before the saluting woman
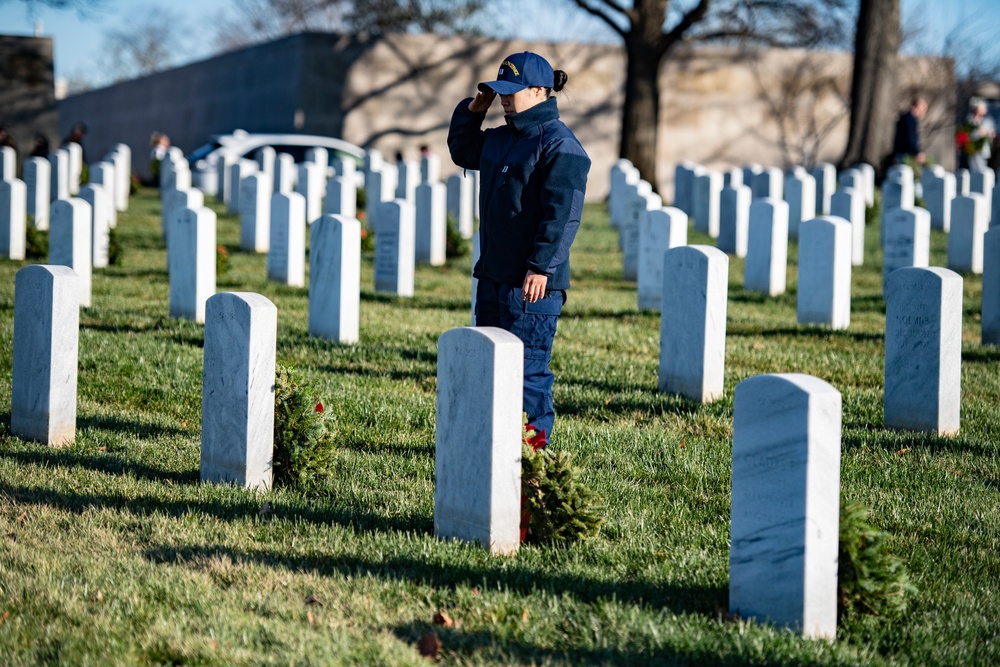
236	507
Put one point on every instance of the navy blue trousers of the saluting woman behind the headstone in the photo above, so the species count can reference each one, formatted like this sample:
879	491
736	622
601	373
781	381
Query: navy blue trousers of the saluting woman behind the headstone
499	305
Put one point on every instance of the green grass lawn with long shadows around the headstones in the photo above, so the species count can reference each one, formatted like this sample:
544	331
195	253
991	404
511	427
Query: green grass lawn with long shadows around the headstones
112	552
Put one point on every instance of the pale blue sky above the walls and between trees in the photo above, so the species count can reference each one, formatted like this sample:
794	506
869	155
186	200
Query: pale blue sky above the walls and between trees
78	40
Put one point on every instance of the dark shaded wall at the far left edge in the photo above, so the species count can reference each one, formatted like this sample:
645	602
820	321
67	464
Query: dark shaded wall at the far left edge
27	91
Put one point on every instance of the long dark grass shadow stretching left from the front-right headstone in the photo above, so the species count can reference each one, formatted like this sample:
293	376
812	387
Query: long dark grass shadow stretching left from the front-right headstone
499	573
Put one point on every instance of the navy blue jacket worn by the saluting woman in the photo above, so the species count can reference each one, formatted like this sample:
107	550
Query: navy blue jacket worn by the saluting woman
533	174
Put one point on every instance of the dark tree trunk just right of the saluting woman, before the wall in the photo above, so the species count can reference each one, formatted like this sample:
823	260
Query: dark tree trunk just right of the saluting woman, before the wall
640	116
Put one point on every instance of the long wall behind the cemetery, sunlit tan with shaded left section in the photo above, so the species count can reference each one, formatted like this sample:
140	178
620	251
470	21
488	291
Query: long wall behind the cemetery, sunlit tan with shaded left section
720	107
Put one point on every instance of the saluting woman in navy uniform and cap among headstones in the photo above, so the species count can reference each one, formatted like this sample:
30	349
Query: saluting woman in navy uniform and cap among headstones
533	179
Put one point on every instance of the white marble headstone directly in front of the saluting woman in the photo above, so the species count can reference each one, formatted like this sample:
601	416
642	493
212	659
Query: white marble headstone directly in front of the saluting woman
477	457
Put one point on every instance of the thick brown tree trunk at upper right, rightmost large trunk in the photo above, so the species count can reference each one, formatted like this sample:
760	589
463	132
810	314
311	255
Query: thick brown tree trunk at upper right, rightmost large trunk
873	90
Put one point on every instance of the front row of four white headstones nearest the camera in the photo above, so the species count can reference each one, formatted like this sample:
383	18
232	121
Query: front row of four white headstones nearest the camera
477	468
